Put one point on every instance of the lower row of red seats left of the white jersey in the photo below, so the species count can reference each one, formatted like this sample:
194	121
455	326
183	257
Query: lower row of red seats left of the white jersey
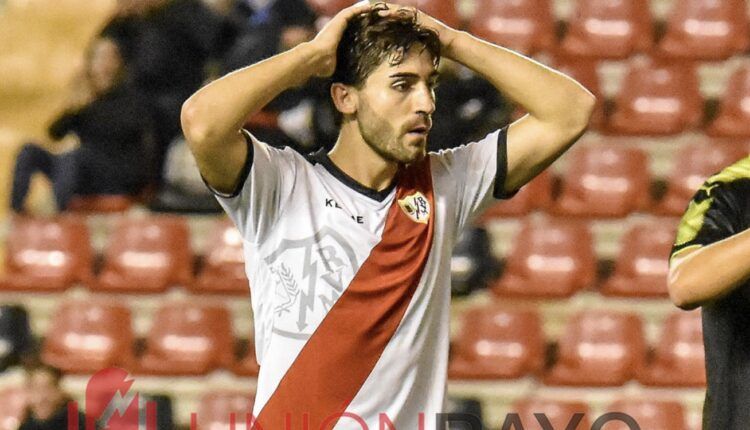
186	338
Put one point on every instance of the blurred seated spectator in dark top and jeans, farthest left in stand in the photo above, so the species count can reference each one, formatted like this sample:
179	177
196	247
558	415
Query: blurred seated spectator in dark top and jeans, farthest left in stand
107	117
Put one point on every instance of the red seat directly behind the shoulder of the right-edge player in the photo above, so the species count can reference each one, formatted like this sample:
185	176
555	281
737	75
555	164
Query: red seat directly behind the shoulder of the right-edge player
693	165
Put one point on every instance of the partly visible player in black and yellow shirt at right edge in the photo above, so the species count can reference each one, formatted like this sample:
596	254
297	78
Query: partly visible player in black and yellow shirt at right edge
710	268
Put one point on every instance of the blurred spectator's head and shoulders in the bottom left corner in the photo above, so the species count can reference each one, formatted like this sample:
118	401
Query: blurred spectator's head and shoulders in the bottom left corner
48	403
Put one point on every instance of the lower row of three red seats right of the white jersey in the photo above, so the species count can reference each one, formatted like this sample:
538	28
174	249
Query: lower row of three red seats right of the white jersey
597	348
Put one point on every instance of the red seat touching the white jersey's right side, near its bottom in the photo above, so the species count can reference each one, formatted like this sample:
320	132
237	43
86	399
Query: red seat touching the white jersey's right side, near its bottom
497	343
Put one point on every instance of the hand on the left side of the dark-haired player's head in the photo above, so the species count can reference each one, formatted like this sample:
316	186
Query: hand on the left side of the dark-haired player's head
327	40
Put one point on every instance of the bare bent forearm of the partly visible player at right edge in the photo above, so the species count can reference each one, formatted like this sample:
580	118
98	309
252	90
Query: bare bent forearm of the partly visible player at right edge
710	272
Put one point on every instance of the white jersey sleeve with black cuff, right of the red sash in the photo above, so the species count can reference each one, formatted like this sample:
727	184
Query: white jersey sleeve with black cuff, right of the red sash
477	171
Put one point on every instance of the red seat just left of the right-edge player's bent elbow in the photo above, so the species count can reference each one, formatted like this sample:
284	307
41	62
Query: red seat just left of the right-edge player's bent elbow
642	266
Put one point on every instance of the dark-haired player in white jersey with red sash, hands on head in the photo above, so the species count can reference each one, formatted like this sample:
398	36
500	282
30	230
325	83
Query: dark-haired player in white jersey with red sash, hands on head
348	252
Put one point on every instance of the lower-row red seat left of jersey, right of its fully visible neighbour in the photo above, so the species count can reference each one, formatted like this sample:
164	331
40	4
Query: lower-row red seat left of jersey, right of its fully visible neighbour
188	338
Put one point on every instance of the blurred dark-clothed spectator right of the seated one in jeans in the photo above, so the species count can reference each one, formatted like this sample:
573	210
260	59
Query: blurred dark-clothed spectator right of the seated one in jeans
167	45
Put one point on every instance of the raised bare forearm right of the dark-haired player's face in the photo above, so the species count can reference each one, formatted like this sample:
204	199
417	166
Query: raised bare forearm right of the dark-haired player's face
548	95
